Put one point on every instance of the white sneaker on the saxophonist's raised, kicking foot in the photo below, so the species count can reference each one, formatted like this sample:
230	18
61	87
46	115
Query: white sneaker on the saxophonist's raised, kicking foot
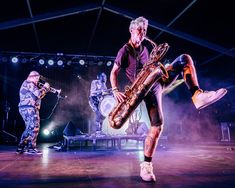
202	99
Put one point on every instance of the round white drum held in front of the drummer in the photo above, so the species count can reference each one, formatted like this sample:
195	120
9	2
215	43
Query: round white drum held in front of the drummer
106	105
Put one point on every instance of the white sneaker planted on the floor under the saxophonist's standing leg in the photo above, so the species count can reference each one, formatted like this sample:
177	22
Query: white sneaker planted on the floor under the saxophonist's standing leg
146	171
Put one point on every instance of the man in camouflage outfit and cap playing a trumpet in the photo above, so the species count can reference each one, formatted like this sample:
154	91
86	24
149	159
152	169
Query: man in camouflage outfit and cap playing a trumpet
29	105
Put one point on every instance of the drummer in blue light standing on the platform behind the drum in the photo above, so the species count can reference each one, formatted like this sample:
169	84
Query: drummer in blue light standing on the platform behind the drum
97	89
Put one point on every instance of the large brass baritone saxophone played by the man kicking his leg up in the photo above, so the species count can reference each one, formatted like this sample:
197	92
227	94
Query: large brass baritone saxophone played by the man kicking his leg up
151	72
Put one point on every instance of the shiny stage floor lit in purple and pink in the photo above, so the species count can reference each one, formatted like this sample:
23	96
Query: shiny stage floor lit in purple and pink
175	165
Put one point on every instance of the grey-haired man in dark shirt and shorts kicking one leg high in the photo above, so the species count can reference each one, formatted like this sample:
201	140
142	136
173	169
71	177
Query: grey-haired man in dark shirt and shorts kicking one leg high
131	58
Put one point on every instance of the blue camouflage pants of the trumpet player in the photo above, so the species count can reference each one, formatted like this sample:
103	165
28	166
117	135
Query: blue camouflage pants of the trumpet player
32	125
